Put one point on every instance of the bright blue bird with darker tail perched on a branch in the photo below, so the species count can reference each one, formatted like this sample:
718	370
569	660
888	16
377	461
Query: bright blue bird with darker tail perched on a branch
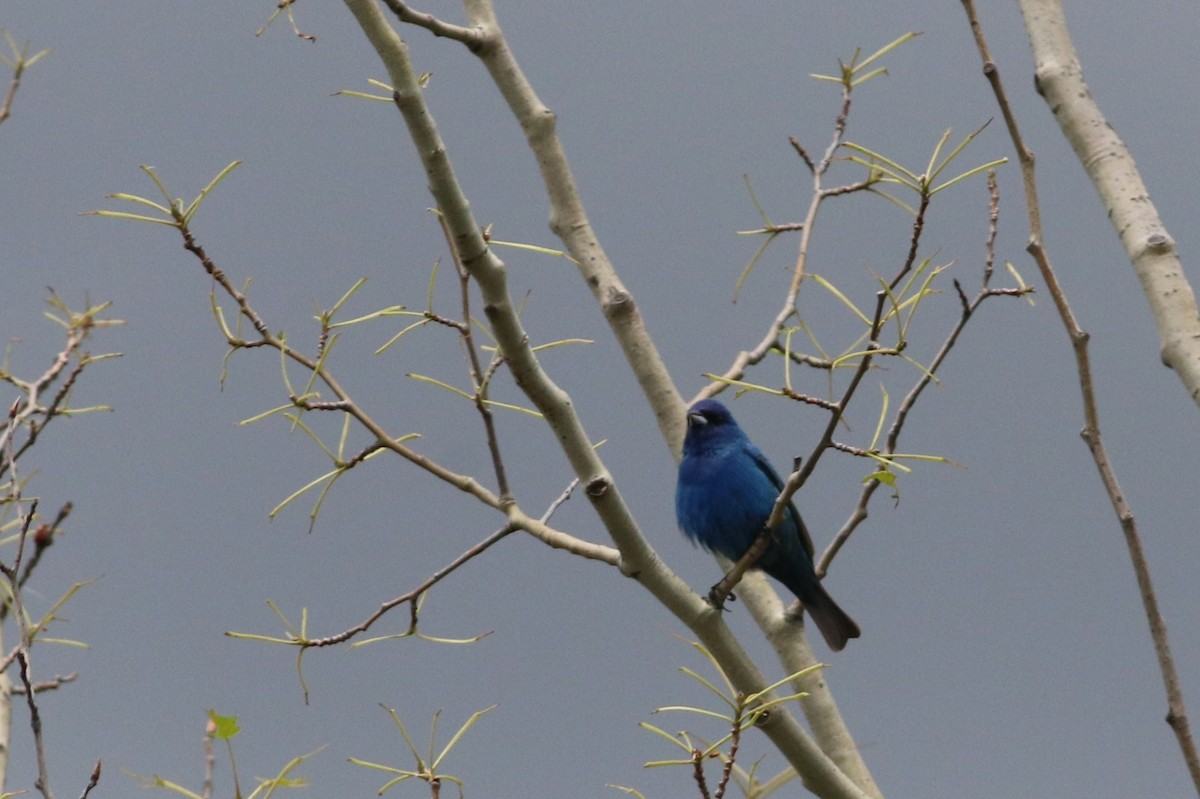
724	496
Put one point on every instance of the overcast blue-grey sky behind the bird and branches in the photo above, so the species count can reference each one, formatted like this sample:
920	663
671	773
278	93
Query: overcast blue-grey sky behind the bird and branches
1004	652
